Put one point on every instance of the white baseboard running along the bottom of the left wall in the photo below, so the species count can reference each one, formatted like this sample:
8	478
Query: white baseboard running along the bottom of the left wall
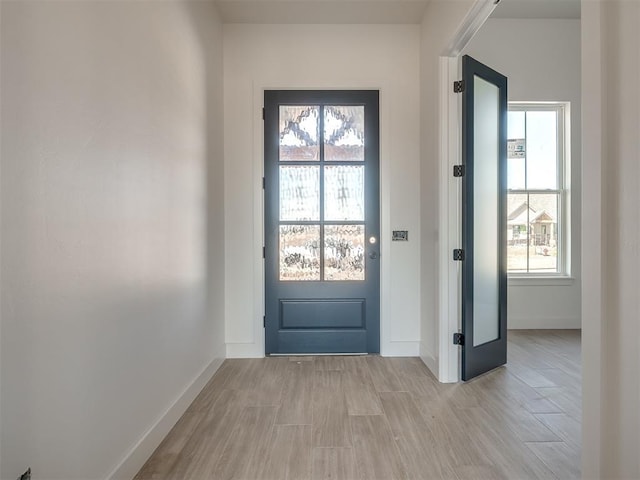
141	451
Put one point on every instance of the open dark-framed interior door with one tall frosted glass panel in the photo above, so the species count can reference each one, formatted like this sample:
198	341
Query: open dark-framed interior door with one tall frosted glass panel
484	274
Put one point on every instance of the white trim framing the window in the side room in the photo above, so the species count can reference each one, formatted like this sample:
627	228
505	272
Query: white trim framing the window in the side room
563	275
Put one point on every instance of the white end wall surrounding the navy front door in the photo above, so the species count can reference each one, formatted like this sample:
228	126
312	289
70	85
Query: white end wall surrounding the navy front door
259	57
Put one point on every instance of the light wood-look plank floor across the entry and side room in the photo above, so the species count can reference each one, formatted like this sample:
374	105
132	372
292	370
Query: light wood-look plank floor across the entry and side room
383	418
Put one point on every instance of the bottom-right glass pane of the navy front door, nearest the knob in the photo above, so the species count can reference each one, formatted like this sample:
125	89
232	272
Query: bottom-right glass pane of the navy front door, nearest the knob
344	252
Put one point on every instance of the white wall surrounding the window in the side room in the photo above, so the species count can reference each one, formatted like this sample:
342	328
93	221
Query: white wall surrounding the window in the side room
541	59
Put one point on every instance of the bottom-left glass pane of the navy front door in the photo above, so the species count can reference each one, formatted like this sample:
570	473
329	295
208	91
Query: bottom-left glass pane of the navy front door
300	252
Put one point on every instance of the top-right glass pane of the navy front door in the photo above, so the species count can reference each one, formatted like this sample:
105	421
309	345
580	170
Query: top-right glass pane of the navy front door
344	133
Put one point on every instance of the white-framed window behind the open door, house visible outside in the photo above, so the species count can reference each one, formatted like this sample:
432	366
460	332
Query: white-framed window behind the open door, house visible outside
536	199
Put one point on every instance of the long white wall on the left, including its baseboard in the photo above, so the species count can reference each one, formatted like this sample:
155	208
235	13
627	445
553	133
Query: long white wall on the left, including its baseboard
112	217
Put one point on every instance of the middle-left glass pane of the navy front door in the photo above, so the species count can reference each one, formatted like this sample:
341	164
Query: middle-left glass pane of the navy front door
299	193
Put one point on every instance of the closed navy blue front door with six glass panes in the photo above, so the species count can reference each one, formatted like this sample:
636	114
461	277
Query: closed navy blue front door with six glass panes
322	243
